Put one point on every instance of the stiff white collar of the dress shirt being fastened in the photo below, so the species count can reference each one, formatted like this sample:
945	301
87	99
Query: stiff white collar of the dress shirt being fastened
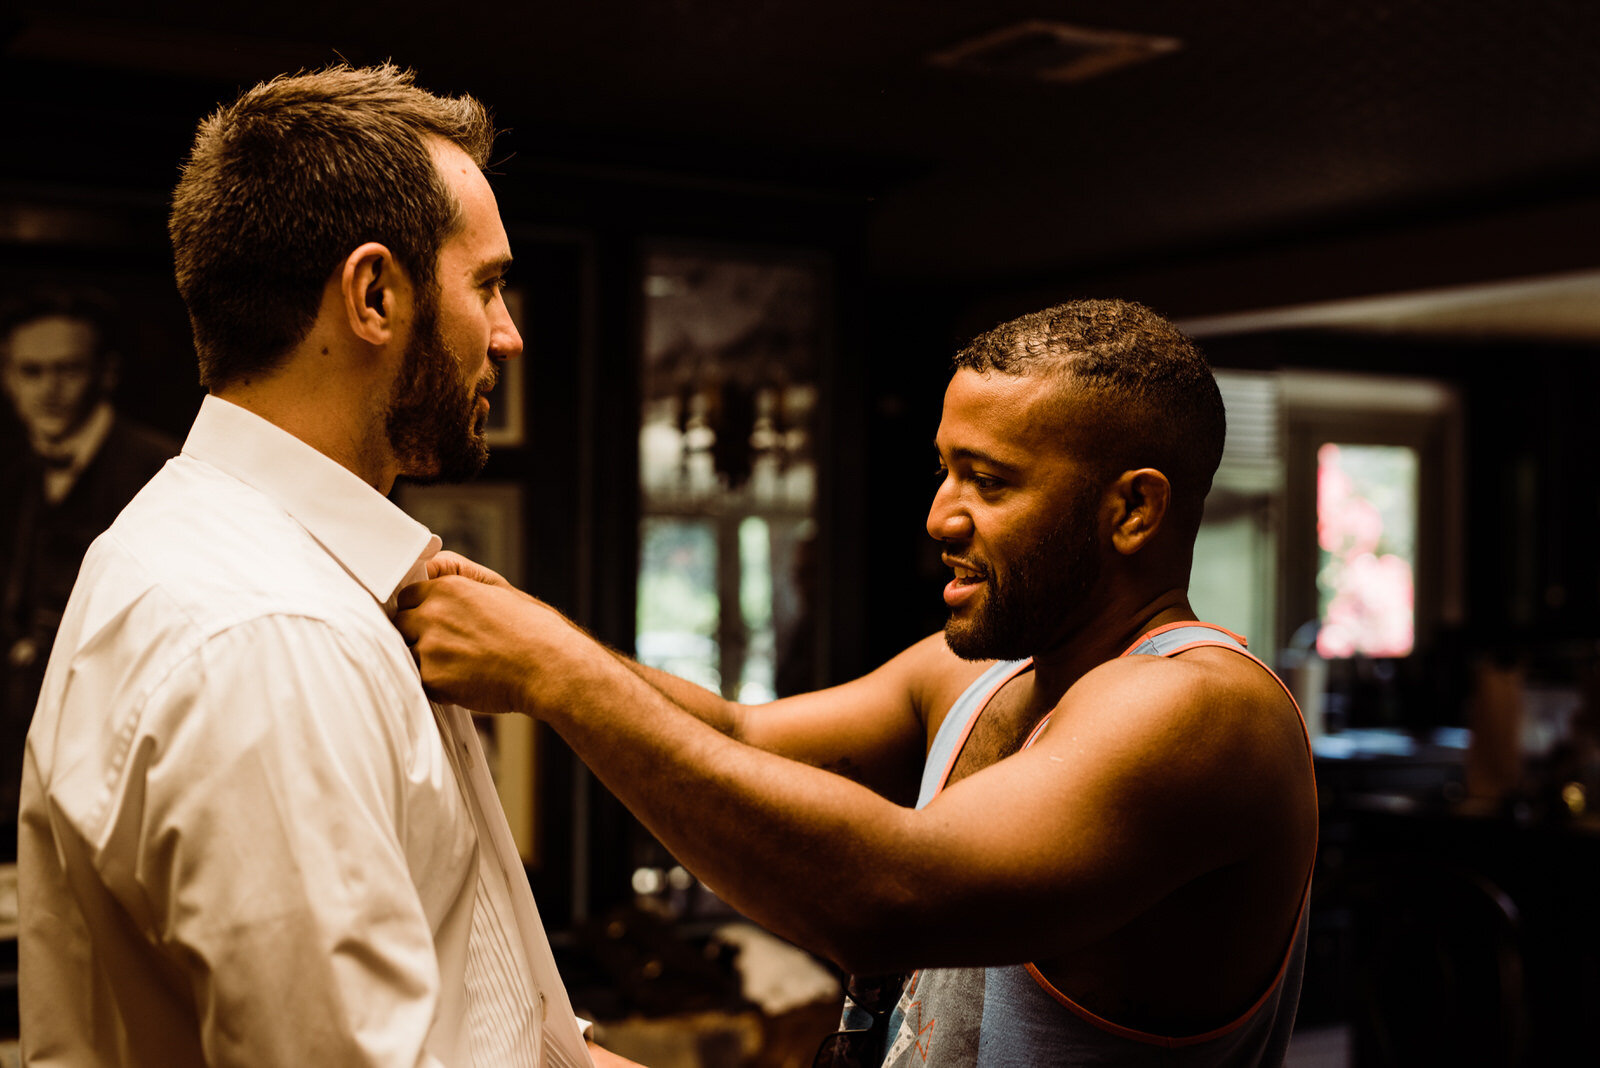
372	538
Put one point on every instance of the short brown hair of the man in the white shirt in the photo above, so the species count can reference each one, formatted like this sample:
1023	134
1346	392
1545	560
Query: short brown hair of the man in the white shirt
287	181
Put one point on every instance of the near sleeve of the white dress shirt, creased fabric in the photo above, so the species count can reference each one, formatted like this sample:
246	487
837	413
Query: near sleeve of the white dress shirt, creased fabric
266	808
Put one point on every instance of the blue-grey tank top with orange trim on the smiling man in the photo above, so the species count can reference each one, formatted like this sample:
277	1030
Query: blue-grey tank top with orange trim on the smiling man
959	1018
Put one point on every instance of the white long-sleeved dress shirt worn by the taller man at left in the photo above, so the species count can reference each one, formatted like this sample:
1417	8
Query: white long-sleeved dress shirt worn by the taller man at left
247	837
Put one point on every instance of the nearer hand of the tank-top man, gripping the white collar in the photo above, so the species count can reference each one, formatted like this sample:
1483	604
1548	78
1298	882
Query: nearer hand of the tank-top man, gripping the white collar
476	637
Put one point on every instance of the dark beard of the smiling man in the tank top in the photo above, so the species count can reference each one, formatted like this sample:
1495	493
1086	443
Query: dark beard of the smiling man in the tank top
1026	608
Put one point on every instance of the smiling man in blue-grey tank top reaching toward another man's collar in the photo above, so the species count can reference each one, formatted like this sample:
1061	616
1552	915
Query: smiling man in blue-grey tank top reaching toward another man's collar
1081	821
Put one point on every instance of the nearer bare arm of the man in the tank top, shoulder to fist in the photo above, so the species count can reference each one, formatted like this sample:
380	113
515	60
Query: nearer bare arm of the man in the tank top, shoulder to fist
1135	789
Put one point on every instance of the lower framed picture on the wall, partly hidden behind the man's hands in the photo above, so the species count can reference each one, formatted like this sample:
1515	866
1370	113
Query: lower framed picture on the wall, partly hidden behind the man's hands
484	522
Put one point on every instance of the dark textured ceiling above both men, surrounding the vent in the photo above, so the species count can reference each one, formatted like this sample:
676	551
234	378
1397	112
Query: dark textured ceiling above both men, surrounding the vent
1270	119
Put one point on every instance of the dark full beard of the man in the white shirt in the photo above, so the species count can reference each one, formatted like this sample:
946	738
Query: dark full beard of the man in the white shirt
433	420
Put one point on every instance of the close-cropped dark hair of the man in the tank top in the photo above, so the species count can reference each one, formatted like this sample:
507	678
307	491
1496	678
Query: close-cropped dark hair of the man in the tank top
1158	400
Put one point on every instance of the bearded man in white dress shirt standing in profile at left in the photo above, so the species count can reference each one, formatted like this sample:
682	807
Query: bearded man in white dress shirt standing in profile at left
247	839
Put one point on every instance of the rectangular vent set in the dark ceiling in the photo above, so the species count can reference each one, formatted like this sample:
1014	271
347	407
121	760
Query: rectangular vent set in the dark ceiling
1054	52
